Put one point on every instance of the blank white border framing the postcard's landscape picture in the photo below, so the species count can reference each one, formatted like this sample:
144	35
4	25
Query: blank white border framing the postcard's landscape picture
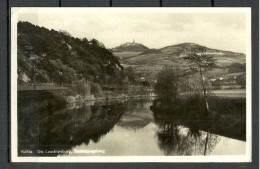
221	158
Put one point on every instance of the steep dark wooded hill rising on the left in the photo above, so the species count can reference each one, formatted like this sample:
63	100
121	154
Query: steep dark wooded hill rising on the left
56	57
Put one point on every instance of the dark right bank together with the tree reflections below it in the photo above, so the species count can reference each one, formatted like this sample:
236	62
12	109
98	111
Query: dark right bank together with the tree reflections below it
227	119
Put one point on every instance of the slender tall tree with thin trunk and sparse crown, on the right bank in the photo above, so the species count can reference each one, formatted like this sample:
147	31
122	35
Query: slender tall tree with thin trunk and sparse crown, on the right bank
200	62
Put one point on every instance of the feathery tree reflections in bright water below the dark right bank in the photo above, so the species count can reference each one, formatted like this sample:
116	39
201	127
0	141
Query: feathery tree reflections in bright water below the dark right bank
175	139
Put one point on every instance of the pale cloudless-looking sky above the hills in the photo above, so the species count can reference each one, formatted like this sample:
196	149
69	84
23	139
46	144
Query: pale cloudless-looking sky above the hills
224	31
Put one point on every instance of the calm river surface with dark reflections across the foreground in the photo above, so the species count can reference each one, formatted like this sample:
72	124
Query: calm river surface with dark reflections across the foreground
126	127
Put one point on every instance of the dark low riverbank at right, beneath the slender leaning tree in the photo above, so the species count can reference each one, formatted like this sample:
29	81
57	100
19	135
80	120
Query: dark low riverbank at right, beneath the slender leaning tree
227	116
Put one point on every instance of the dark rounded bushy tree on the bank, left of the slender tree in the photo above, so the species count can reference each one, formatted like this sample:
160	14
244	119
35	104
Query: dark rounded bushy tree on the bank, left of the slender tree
167	84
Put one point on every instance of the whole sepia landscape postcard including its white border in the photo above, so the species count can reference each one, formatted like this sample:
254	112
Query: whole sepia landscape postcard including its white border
131	85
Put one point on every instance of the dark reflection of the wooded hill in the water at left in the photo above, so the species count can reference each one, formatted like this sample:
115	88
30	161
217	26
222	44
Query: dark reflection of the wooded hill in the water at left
65	128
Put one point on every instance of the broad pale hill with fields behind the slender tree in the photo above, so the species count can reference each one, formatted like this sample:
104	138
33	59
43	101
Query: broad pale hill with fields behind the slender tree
150	62
